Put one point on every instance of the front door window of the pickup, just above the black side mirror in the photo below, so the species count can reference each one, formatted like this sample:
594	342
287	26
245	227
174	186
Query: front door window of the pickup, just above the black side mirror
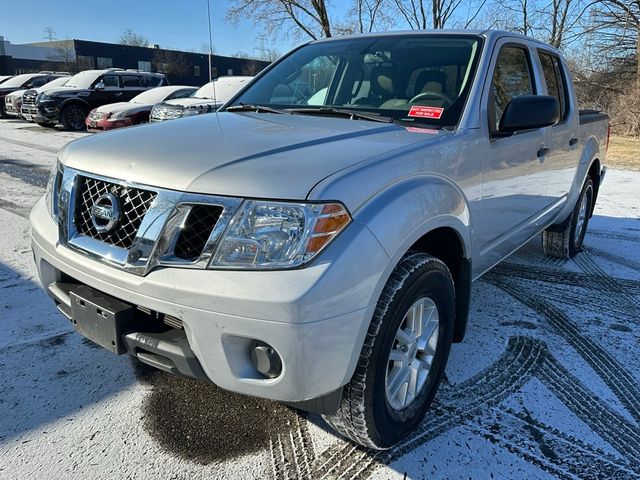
511	79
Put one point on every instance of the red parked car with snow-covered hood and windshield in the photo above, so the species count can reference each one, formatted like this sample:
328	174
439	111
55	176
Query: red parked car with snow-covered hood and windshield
135	111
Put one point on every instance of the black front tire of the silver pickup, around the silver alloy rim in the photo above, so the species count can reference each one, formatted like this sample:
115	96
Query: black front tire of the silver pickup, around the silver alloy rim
365	414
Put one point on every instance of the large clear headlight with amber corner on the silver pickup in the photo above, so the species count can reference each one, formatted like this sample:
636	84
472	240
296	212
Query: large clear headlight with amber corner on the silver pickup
275	235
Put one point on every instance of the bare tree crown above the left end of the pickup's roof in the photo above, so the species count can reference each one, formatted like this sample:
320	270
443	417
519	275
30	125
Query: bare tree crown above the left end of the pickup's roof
309	17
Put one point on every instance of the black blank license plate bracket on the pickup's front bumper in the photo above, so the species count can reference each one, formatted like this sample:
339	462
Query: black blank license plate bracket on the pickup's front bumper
101	318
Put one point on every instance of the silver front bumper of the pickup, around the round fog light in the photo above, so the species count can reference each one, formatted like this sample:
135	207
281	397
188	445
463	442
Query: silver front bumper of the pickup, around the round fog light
316	318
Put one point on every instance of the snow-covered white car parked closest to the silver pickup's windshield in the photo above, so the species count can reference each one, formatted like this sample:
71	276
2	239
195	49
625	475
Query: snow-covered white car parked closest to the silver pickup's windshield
207	99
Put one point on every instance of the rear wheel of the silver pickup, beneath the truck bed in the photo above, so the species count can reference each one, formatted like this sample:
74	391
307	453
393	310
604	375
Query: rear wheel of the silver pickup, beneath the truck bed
567	243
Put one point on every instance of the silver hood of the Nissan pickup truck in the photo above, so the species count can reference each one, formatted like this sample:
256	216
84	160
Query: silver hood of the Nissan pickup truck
261	155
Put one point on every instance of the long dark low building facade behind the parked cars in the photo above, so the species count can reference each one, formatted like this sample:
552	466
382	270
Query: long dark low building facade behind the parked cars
185	68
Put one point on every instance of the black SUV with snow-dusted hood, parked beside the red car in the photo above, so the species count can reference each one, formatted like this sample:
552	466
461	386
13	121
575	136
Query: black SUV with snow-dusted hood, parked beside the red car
90	89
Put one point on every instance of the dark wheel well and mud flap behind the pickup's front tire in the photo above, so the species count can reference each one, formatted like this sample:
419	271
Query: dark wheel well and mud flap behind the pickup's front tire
445	244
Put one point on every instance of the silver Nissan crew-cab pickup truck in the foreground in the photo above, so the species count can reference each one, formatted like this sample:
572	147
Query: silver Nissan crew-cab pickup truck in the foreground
314	242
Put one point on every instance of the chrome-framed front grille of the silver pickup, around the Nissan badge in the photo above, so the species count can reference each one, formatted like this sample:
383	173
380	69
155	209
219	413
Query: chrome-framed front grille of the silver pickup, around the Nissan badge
154	227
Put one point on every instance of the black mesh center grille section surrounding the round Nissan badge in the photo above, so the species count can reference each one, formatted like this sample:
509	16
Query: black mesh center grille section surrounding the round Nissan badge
134	204
